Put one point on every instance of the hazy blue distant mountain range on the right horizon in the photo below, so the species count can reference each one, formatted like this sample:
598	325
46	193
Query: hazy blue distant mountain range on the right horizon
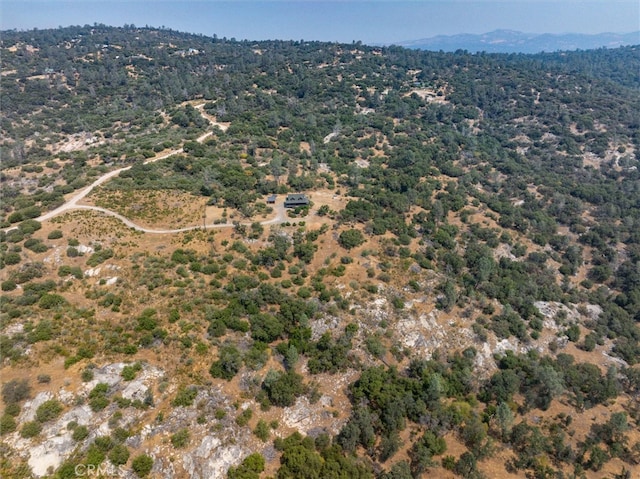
509	41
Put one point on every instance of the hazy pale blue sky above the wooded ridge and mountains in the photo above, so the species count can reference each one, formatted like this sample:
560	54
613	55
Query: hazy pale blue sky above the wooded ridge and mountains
370	21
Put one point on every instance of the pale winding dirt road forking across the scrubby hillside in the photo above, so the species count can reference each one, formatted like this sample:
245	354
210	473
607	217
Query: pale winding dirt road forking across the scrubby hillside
72	203
